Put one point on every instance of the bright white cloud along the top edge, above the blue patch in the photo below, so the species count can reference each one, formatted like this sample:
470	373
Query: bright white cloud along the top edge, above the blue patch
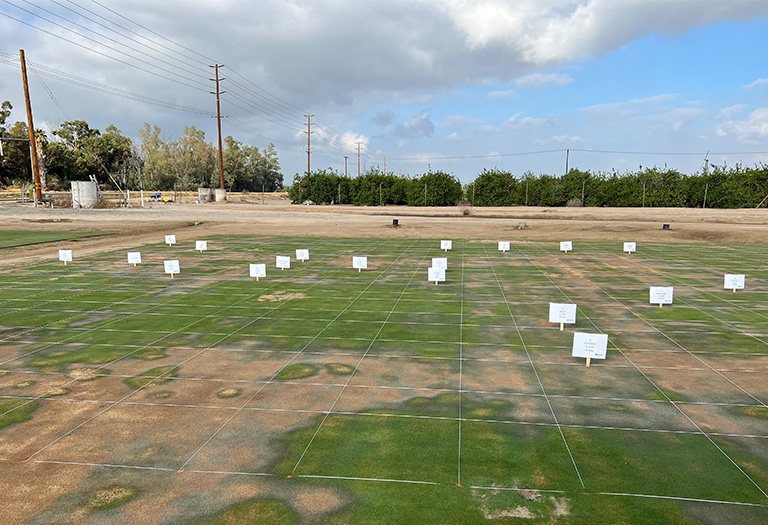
550	31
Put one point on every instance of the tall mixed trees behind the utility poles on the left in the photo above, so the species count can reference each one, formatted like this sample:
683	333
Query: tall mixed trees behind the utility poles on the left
75	151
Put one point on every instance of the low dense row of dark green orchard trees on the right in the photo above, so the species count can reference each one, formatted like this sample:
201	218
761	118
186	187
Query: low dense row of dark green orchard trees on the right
717	187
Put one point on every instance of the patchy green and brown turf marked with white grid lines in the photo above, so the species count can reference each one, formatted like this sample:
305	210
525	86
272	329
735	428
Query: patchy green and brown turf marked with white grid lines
324	393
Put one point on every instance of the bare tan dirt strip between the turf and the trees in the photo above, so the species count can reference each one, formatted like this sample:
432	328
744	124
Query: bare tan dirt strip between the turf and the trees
250	215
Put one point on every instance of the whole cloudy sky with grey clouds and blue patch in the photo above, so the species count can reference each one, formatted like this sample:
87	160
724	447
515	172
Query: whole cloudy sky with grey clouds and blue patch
455	85
